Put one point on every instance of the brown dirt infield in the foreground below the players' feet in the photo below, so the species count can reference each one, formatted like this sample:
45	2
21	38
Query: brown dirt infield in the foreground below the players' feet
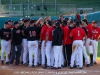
22	70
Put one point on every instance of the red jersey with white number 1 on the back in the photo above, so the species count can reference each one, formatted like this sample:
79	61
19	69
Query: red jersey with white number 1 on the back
77	33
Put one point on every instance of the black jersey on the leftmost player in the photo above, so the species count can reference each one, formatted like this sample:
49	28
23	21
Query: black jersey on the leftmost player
5	34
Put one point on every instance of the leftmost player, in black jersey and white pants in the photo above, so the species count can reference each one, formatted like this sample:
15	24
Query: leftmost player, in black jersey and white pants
5	42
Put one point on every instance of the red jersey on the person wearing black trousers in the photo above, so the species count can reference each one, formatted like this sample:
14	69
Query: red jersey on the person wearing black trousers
66	37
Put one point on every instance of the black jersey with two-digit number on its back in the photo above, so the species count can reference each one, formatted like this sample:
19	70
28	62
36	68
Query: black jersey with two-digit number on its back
32	33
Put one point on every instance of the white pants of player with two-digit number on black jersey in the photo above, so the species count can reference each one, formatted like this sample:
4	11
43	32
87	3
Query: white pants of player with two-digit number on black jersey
33	50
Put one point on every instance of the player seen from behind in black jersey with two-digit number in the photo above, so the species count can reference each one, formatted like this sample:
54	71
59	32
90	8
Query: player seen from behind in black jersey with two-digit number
32	38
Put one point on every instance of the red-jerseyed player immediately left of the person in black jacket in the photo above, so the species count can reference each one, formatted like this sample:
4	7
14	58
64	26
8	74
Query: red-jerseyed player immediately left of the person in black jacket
48	44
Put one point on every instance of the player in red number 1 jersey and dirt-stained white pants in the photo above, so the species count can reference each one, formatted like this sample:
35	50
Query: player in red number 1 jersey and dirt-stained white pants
77	35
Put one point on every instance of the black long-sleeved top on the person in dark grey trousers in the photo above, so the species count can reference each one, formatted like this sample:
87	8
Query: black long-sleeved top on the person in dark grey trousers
16	36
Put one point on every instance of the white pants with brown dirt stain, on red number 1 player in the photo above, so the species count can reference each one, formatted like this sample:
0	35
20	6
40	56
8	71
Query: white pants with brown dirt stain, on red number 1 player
78	50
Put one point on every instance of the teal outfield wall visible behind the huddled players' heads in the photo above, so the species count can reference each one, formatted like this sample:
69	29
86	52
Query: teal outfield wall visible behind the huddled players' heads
90	17
